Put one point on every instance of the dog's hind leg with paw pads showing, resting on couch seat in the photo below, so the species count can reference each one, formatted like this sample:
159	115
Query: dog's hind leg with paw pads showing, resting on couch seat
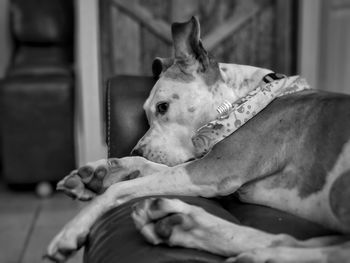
175	223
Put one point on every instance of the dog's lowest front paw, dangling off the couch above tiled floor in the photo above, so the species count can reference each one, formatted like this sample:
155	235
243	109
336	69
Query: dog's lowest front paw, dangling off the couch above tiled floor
66	243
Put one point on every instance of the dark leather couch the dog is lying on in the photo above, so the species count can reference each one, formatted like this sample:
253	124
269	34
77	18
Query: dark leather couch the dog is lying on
114	238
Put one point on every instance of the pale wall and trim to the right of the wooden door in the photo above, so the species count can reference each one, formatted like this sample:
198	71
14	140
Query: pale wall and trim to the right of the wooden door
324	50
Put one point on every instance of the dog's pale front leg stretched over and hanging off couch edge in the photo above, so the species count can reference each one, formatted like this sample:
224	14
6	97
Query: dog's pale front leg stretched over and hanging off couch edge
176	180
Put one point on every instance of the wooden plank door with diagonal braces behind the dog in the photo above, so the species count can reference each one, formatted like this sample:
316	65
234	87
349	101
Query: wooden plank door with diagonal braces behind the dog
255	32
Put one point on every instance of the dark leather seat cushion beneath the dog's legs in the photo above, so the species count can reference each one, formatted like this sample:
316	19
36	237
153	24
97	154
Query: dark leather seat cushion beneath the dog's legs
114	237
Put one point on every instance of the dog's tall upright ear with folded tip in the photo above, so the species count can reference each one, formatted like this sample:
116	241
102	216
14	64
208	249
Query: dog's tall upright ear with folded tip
187	43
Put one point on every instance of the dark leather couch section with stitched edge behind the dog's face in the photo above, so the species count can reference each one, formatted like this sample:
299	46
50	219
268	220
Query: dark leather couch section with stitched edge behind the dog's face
126	120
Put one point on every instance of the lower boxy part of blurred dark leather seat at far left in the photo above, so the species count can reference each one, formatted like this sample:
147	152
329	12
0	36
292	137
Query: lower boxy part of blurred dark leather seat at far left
37	131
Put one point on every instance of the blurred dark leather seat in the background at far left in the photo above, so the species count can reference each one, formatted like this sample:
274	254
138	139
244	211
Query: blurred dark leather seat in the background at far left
37	93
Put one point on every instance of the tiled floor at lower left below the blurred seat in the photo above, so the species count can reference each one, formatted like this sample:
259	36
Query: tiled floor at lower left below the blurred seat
28	223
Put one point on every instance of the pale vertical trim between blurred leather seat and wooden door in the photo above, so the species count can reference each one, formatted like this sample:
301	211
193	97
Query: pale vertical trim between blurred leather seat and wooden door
89	122
